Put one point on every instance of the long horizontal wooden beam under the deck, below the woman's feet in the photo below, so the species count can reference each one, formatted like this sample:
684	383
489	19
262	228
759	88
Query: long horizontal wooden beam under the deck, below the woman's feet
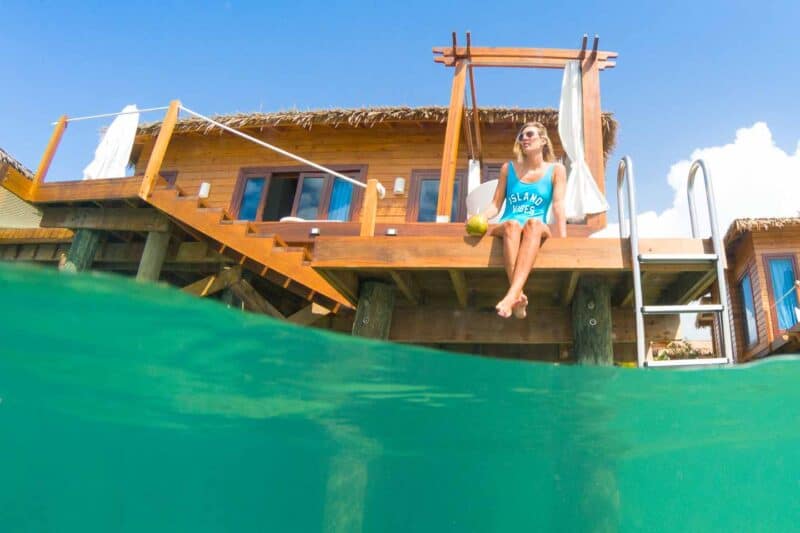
544	325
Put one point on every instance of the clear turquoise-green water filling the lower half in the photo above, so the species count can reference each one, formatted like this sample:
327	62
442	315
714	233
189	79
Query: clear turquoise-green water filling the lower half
129	407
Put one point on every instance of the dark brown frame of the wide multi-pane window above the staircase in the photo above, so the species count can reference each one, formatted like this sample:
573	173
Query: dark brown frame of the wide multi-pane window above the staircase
359	173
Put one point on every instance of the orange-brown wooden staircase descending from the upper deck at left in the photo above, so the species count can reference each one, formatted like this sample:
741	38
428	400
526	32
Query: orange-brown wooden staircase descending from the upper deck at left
266	255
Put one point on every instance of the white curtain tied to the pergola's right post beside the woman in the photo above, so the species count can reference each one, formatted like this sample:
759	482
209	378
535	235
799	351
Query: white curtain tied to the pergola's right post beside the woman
582	197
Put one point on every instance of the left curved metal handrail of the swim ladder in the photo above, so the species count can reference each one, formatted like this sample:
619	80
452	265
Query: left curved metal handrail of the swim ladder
625	176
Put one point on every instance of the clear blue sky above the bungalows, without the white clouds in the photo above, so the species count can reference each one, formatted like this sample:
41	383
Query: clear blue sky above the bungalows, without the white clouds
689	74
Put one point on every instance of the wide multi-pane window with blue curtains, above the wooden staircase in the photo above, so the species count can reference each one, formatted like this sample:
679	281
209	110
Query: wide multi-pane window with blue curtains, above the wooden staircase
271	194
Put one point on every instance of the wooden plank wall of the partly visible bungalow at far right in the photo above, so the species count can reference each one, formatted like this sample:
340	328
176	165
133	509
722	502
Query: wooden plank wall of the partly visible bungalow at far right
749	256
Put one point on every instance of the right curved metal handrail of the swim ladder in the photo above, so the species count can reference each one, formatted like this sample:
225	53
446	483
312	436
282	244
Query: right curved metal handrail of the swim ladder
721	264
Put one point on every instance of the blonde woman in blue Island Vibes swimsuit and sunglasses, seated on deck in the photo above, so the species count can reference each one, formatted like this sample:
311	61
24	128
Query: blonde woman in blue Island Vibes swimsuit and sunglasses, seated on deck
529	186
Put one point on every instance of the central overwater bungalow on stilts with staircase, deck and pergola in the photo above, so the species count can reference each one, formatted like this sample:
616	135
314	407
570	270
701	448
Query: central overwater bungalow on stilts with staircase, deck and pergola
353	220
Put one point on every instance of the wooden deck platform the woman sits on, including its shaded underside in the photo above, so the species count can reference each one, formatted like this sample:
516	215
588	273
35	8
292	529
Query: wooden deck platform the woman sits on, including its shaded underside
468	271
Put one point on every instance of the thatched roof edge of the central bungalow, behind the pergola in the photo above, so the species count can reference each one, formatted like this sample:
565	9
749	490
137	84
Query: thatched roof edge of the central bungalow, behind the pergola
371	116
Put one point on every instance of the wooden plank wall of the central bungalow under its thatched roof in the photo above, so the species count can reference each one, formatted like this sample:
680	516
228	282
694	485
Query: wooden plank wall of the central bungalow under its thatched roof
388	151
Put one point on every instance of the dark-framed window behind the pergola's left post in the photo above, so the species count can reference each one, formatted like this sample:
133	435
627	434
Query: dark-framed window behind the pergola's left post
423	196
